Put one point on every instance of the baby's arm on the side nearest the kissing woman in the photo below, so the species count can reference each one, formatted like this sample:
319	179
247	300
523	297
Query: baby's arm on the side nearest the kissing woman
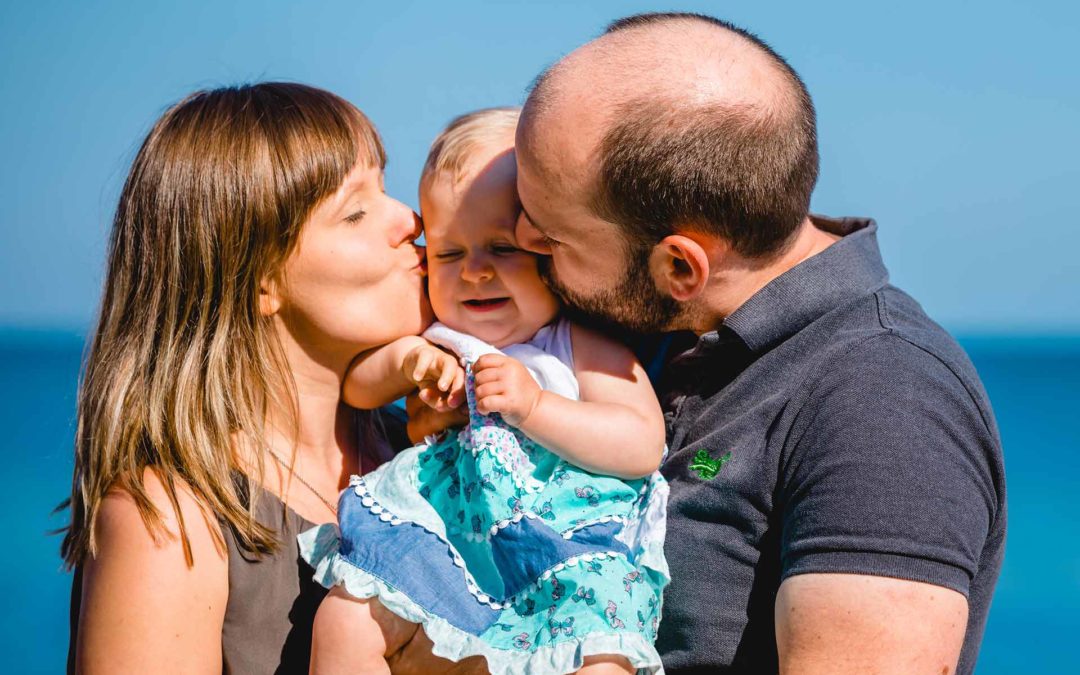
383	375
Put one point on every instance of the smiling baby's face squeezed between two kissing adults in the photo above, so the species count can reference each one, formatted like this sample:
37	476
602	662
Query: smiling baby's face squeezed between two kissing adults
480	282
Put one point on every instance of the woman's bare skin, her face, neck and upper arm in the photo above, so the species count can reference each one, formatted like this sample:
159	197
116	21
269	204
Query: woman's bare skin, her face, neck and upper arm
354	282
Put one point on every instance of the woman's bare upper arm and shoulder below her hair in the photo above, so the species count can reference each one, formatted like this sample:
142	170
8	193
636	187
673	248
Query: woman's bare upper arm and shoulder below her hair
144	610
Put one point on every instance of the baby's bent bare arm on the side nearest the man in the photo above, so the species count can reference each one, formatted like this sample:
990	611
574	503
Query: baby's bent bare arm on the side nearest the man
616	429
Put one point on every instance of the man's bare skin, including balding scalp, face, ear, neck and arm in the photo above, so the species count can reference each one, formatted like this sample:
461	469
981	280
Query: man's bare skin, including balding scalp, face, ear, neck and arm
826	624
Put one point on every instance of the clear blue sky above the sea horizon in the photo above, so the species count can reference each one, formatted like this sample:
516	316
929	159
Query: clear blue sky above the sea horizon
957	126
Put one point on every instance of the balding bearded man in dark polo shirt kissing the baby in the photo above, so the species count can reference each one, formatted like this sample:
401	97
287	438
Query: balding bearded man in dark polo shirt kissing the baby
838	483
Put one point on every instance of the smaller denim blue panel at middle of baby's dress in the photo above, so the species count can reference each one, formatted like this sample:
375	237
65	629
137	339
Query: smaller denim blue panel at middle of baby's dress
523	551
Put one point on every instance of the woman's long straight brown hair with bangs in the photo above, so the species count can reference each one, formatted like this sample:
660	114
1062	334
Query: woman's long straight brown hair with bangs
183	364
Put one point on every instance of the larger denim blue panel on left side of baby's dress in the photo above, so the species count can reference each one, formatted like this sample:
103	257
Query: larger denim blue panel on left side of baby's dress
413	561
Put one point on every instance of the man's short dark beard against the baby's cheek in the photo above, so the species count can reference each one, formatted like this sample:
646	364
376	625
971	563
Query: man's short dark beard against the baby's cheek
633	305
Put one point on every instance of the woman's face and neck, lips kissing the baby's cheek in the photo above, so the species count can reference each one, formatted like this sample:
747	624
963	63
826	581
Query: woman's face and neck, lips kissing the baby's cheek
355	281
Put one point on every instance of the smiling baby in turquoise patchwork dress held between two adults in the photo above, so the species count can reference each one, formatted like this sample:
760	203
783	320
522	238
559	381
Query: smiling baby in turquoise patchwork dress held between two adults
534	536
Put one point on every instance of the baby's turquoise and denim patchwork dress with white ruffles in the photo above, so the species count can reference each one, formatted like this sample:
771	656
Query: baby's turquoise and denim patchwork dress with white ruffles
499	548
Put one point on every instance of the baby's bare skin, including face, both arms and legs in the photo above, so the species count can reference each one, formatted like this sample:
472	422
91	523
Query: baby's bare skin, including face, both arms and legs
482	283
